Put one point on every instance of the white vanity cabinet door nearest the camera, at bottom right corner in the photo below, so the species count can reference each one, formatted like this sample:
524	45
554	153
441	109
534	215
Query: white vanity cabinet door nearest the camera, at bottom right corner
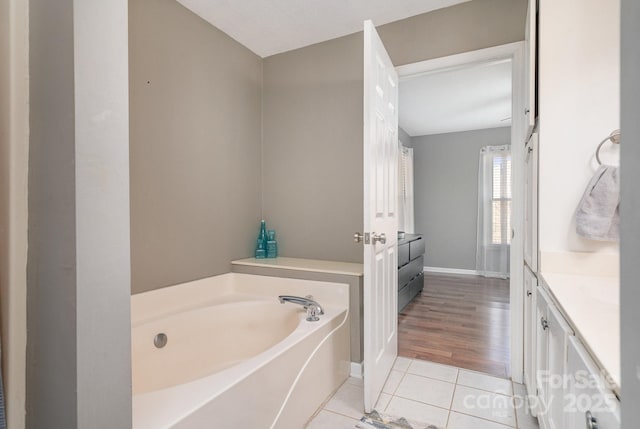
588	398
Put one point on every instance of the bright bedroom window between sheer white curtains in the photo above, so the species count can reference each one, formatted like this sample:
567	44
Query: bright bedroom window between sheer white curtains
501	199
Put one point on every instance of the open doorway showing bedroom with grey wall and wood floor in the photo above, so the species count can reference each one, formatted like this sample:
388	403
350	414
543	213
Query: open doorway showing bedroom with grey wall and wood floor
458	117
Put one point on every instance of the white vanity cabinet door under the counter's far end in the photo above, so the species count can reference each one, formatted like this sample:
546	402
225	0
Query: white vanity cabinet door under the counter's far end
551	362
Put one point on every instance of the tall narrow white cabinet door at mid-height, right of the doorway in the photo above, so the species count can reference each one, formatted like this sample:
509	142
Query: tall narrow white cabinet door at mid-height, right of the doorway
531	203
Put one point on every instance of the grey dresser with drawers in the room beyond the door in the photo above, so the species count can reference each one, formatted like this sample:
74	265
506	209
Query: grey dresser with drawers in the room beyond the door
410	265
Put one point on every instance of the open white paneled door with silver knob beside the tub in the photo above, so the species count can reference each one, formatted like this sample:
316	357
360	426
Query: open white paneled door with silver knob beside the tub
380	215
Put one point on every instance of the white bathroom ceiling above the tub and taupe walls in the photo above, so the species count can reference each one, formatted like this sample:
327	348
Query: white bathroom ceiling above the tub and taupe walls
274	26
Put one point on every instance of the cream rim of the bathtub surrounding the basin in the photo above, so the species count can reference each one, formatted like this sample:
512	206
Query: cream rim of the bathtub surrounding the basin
187	398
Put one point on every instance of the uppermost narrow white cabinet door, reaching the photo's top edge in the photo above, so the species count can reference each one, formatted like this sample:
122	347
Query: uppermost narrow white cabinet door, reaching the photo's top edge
530	44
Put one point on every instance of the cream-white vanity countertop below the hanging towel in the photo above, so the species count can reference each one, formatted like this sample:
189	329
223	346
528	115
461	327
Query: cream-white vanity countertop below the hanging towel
592	303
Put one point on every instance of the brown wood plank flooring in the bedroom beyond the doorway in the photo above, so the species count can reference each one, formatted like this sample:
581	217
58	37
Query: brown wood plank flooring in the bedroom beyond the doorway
458	320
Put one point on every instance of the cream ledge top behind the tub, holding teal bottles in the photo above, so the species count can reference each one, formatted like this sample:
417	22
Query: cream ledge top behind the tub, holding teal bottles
298	264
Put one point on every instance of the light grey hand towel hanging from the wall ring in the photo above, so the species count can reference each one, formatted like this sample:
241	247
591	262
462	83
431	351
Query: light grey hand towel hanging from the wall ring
598	215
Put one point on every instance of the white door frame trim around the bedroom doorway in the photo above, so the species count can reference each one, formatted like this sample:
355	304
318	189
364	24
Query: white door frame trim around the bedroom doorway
515	53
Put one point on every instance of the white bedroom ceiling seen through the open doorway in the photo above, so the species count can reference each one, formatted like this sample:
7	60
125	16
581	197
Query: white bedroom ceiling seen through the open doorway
470	98
